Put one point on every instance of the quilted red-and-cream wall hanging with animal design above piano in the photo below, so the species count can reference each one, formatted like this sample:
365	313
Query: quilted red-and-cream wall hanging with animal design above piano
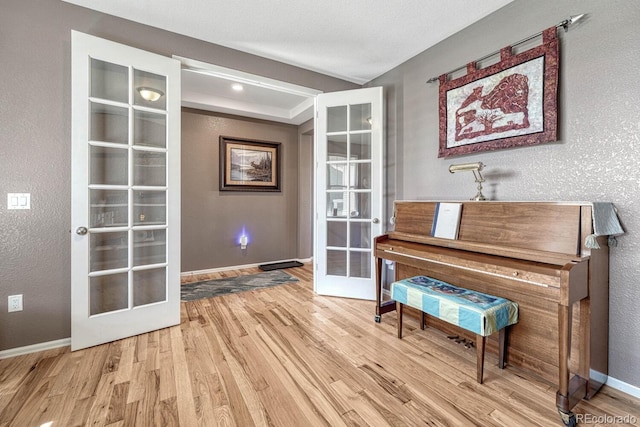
509	104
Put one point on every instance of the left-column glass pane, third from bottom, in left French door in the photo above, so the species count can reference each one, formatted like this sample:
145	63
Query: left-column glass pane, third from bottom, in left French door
109	208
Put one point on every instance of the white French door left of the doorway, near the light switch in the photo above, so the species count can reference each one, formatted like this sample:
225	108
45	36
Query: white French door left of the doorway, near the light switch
125	249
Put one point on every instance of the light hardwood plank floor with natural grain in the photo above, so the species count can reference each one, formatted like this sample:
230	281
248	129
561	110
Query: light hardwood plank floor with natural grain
283	356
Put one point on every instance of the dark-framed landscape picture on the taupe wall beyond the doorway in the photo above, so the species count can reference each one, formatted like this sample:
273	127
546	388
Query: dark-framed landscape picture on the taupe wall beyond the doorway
249	165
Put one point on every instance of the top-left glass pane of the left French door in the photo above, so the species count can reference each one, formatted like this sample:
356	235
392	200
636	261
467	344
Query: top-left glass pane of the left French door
109	81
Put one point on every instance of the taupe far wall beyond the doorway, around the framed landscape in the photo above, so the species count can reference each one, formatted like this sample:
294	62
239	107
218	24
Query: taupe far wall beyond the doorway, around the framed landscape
213	220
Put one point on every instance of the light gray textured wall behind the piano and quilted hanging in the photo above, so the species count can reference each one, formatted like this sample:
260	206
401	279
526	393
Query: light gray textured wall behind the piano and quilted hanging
595	158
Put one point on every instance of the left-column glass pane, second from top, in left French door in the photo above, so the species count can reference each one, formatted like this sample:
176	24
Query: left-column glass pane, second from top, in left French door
109	123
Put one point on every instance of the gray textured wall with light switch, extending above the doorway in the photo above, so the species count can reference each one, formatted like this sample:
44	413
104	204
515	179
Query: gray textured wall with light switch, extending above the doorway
35	135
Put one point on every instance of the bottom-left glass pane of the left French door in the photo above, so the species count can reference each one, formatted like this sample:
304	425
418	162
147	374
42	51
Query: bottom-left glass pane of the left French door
108	293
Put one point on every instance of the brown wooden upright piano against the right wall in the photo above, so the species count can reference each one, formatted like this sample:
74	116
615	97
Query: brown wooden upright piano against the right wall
532	253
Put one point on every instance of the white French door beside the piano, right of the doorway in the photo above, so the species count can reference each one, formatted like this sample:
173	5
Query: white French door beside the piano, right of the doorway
349	191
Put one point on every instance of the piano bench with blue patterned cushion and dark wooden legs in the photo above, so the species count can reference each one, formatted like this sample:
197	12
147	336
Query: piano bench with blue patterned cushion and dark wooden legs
476	312
